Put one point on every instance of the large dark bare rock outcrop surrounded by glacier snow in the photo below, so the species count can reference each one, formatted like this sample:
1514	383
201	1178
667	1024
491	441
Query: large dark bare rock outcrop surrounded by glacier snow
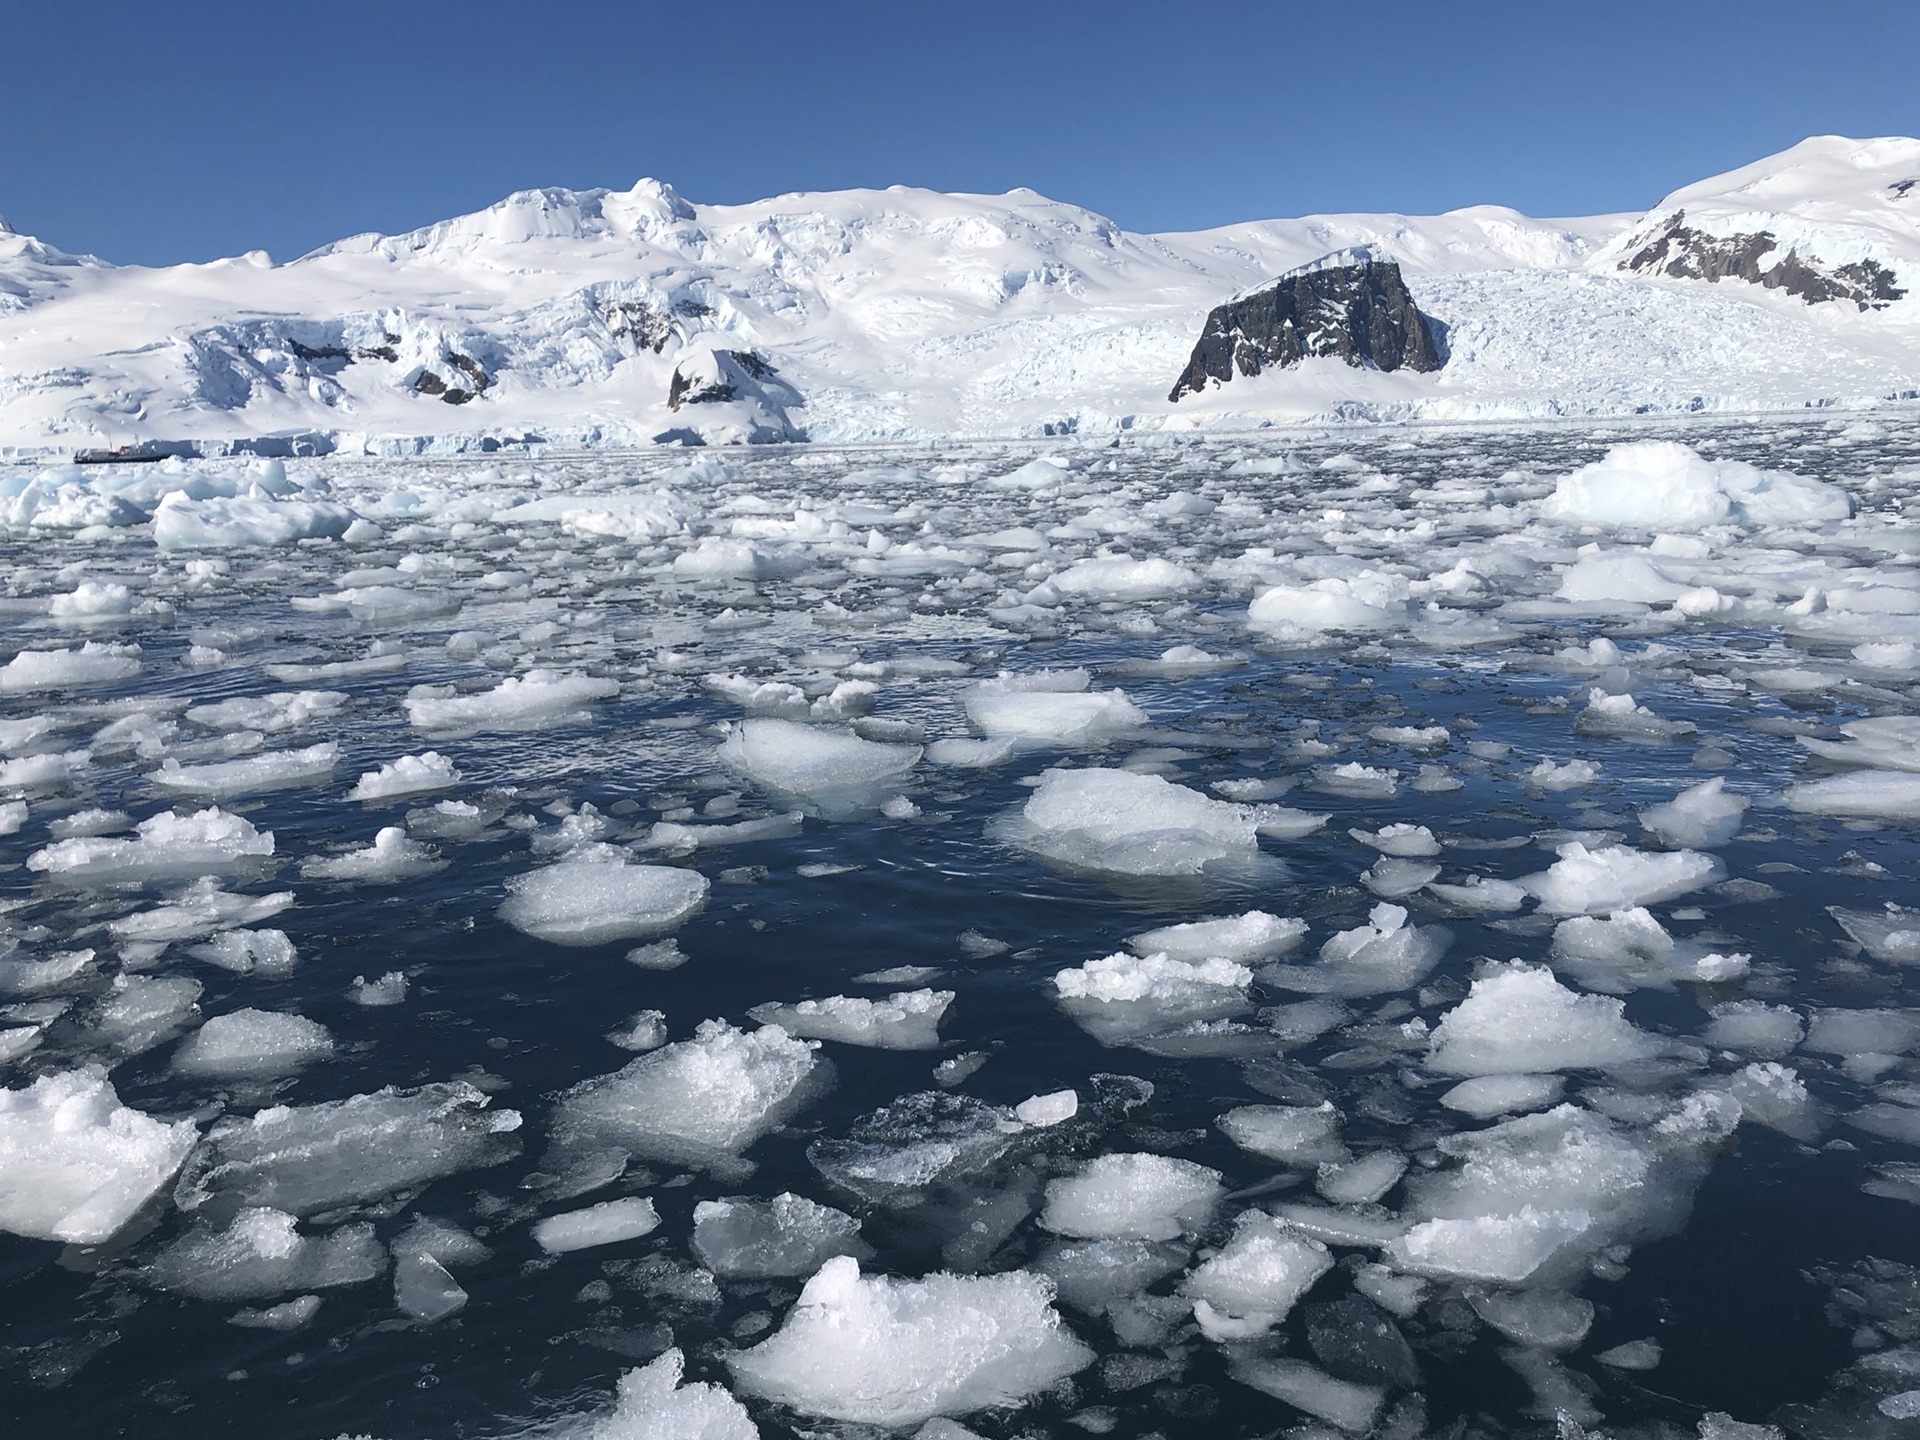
1349	306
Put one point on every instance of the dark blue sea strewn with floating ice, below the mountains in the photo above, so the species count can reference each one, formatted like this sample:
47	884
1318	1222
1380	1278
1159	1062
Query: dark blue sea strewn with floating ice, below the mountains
1385	932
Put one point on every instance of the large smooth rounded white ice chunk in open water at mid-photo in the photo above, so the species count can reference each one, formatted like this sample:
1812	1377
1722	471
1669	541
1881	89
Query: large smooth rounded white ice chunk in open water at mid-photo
1122	823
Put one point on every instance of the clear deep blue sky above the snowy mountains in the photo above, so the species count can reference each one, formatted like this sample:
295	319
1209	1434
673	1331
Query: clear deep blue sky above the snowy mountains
185	130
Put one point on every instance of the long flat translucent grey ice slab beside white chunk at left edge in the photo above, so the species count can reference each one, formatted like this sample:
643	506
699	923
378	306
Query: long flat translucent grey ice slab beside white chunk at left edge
345	1153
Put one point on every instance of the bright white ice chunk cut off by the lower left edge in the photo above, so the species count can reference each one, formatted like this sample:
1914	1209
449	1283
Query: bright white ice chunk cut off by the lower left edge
76	1164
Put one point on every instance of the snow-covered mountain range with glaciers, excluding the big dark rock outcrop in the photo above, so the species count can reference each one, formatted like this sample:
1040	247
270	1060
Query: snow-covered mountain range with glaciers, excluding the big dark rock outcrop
621	318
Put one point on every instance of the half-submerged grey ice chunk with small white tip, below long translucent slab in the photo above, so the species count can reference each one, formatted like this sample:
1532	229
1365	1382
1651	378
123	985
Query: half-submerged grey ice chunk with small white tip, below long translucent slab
262	1255
